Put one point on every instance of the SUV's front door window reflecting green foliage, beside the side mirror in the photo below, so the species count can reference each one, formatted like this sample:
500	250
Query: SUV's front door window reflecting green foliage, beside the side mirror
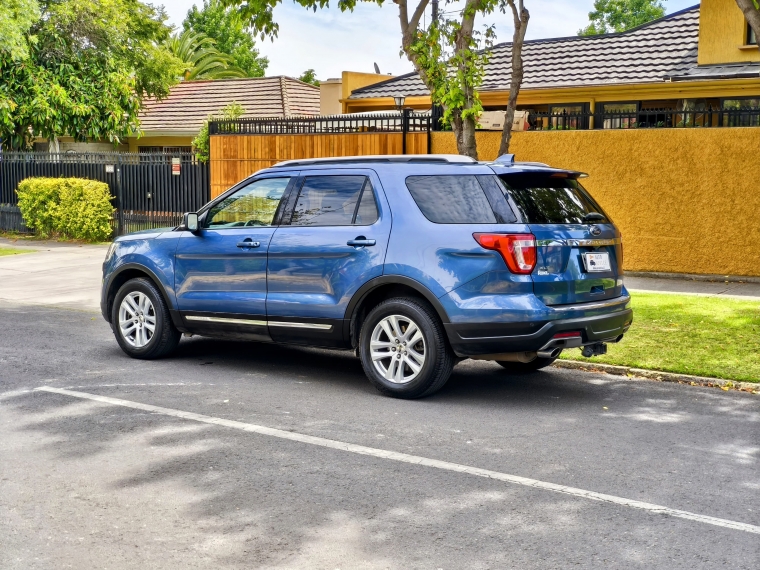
252	205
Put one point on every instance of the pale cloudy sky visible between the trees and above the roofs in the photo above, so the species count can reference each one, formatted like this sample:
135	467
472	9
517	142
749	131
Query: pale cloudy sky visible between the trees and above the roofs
329	41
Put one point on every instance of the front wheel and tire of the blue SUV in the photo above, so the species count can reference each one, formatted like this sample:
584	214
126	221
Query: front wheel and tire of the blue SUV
137	307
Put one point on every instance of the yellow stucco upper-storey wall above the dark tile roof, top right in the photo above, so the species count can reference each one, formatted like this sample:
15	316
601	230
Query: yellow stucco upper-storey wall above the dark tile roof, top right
722	32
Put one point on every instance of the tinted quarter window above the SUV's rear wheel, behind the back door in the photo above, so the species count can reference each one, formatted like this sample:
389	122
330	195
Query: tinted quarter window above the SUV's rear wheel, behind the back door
451	199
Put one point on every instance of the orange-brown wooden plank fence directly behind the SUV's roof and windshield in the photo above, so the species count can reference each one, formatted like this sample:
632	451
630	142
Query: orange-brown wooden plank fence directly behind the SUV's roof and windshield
235	157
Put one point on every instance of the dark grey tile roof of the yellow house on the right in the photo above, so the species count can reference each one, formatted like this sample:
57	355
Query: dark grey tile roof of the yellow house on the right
662	49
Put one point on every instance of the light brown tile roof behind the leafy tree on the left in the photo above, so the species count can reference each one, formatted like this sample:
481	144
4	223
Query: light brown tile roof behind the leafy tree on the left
190	102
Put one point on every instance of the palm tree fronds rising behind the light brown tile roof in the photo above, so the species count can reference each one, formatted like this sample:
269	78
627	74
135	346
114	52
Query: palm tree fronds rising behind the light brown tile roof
202	59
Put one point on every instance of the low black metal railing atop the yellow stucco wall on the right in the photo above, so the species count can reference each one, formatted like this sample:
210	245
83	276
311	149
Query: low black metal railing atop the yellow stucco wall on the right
645	118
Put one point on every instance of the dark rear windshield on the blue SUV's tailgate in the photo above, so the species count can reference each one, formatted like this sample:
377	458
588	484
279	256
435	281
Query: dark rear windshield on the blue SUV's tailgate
542	199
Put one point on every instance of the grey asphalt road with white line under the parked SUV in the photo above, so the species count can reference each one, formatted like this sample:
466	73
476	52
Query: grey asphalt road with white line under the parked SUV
90	484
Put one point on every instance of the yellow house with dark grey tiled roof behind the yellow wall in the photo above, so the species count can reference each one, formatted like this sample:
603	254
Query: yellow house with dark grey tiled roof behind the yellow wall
687	66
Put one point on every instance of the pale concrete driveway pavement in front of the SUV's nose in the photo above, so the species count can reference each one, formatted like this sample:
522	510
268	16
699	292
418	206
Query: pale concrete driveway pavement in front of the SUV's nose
53	273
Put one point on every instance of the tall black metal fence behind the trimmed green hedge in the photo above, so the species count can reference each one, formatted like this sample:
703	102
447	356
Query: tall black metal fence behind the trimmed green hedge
149	190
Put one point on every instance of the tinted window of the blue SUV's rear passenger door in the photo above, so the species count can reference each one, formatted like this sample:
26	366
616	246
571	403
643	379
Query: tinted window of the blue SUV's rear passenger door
335	201
